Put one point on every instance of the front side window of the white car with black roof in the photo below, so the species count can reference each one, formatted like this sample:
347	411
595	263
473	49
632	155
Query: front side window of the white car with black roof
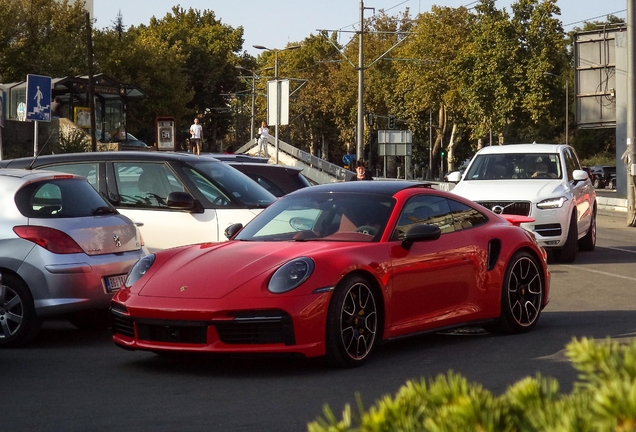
145	184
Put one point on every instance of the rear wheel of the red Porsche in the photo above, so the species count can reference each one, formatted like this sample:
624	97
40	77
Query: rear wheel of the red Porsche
521	294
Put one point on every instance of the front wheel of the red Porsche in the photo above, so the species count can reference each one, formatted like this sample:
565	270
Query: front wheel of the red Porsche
352	322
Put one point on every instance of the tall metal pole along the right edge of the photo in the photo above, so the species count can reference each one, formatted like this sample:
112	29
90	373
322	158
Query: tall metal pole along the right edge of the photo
631	111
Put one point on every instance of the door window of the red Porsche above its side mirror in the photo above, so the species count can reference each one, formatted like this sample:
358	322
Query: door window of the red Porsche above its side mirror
424	209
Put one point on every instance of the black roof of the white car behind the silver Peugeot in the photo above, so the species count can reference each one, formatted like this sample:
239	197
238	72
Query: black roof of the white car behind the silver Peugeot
105	156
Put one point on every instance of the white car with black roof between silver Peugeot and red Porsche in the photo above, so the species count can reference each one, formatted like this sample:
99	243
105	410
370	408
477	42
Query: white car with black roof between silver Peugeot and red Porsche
175	198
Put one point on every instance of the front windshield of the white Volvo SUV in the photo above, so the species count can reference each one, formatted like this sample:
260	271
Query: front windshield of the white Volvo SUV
515	166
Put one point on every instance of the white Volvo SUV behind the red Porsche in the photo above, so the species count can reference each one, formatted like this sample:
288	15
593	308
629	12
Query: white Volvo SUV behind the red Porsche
543	181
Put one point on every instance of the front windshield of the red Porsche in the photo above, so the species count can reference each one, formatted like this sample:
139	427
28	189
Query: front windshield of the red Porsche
322	216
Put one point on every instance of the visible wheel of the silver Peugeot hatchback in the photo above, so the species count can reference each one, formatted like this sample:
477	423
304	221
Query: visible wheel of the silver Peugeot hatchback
19	323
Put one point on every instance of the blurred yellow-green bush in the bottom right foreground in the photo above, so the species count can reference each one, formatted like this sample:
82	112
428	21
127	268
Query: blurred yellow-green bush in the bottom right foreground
604	399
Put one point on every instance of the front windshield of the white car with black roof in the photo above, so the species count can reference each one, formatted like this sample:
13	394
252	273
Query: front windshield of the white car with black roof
213	179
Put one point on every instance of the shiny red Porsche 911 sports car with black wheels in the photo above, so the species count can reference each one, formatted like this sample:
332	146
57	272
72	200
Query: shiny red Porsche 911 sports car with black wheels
333	270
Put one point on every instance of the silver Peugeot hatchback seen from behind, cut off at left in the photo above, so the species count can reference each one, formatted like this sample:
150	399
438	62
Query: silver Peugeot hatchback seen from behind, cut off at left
64	250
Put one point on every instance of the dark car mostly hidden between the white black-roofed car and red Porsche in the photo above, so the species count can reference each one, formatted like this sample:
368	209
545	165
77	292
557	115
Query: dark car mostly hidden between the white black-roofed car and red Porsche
279	180
